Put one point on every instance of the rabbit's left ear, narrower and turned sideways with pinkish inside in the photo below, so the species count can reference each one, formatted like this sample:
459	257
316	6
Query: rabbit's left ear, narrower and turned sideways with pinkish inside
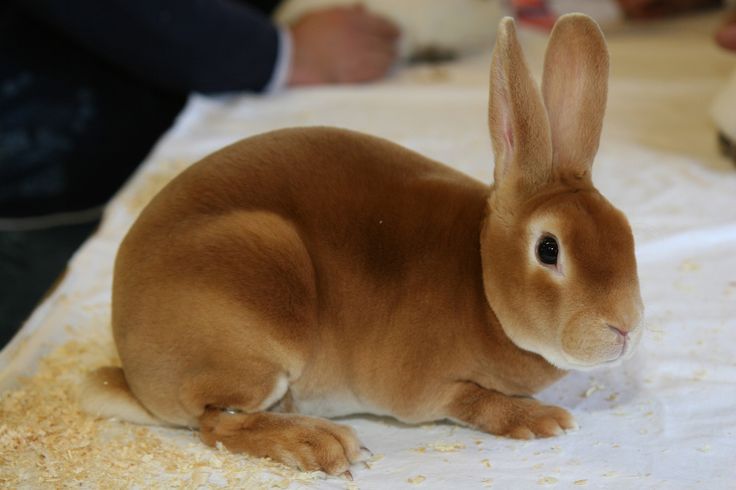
517	118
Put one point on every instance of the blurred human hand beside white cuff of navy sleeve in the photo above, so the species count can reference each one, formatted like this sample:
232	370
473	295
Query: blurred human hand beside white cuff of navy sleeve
341	45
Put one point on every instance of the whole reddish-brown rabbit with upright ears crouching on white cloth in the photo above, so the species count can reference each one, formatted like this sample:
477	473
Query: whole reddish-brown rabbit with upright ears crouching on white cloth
321	272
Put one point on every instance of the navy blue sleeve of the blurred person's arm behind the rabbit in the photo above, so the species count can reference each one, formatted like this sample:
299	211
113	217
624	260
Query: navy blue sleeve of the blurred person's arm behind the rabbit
180	45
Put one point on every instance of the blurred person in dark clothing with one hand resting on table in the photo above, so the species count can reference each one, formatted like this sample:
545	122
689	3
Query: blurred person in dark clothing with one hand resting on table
87	88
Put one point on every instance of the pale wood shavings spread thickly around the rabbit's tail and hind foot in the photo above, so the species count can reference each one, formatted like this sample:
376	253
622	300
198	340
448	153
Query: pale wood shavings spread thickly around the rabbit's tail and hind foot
48	442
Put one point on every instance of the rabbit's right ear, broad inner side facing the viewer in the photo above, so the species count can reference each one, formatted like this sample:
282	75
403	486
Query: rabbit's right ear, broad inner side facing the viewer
575	87
